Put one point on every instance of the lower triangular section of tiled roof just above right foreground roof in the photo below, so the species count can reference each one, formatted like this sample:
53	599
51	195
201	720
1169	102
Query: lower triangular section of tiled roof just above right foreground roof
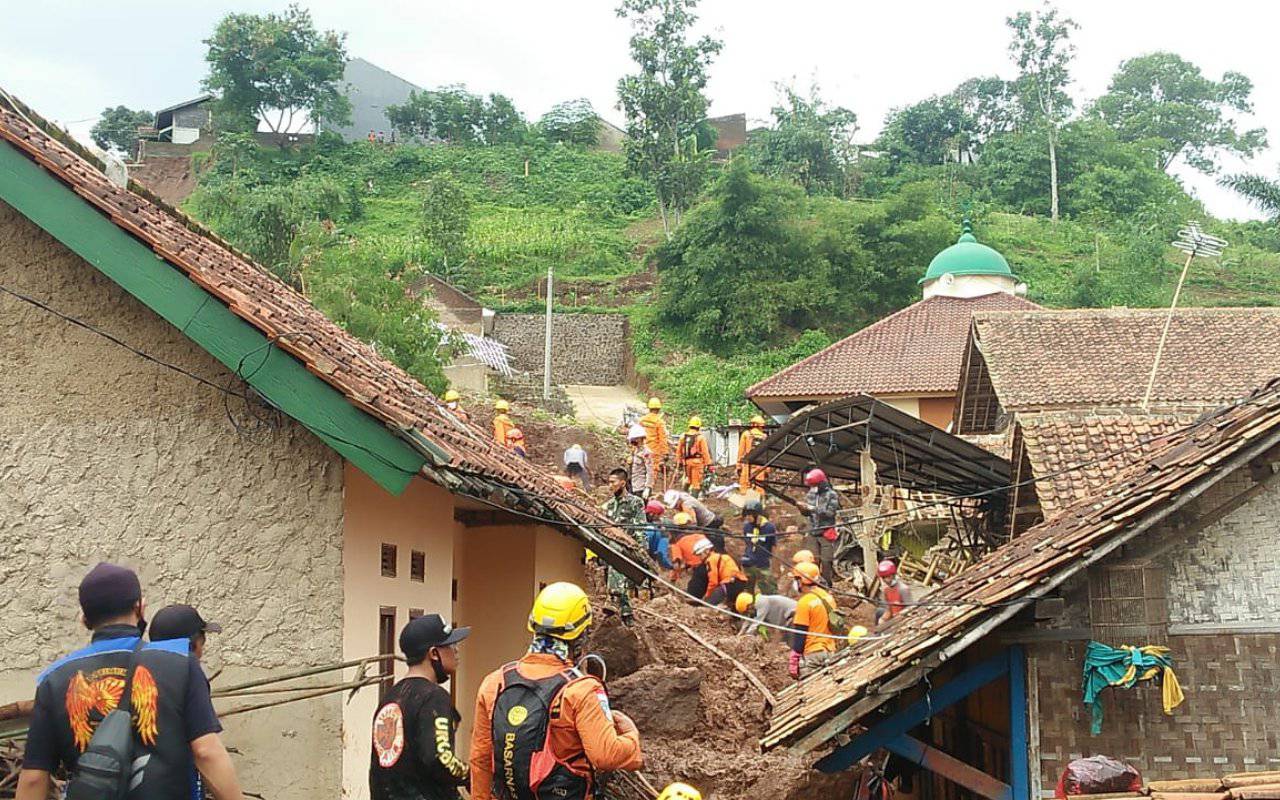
1078	454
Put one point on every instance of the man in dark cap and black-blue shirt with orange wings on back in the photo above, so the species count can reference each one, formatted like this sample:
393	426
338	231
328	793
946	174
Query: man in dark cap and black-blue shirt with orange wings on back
176	730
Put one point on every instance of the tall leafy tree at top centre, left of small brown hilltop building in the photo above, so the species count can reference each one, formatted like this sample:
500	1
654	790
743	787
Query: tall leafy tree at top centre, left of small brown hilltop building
664	102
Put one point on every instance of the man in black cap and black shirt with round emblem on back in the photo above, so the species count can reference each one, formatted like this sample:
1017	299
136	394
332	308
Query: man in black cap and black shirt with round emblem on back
414	753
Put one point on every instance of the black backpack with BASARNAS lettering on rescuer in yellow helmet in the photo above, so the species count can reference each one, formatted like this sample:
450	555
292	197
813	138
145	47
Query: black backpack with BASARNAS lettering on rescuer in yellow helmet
525	767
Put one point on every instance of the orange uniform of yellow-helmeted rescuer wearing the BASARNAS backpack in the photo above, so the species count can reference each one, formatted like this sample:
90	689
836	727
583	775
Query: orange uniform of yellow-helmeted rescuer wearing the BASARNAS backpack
584	733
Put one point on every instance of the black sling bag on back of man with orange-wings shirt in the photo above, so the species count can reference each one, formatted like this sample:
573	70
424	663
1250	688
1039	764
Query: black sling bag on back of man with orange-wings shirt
106	771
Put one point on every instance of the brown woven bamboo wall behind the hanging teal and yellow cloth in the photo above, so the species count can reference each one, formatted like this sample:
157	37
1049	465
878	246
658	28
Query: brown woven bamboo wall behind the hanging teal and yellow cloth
1231	721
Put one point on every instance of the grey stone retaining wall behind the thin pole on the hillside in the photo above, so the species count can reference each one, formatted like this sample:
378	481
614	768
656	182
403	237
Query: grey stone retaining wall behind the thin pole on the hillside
587	349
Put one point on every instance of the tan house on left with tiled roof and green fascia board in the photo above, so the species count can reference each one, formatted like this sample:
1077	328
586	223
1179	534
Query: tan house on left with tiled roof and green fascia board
172	406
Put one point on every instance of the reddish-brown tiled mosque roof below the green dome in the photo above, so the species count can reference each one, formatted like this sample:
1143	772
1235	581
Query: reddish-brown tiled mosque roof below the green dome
918	349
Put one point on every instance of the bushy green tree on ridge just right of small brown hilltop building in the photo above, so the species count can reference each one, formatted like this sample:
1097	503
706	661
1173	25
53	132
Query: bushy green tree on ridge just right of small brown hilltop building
810	144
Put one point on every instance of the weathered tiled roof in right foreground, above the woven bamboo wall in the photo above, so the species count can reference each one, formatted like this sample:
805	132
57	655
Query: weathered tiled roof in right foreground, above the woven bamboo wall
1173	472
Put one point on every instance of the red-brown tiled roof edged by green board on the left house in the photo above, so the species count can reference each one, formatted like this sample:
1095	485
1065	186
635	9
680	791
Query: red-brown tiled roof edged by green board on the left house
476	465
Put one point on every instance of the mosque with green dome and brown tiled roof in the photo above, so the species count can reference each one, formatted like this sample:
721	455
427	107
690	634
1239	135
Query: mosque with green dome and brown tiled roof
911	359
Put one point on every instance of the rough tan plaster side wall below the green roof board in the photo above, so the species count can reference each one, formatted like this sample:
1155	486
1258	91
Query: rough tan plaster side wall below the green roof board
107	456
